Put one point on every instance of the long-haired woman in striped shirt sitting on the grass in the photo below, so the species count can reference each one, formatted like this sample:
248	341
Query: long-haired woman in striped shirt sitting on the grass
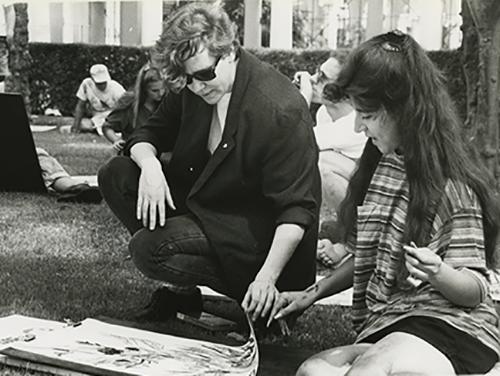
421	221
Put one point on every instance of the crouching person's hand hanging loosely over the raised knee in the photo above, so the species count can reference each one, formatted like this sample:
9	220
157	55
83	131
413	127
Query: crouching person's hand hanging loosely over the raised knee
152	194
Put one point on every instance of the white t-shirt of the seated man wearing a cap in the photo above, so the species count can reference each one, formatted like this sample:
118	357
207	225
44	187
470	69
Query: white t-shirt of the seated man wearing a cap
100	101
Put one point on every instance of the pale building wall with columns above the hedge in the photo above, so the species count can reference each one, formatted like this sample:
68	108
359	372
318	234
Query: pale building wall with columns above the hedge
325	23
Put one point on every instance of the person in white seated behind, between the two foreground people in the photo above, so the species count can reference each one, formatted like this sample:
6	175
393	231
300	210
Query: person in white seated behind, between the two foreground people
340	147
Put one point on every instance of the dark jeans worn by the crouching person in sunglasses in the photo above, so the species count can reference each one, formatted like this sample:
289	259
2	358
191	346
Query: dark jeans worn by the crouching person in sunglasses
178	253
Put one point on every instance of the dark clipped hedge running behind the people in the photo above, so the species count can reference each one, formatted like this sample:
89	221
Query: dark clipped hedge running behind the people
58	69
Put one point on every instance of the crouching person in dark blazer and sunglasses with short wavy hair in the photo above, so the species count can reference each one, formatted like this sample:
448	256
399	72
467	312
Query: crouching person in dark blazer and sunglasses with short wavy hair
237	207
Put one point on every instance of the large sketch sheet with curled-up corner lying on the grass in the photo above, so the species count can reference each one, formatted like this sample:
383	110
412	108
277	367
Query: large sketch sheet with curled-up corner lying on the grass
95	346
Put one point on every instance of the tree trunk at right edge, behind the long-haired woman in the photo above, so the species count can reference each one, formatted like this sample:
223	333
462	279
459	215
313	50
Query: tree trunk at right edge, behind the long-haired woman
481	63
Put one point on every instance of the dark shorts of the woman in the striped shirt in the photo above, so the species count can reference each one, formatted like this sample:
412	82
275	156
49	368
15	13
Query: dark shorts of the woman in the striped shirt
467	354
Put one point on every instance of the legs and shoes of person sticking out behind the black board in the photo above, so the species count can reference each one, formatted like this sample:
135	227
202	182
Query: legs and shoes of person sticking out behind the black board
58	180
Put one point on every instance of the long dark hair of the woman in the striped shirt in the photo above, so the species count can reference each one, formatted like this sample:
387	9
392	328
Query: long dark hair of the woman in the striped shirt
392	72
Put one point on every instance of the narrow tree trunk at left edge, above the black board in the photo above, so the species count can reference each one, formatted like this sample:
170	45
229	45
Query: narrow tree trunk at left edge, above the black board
19	59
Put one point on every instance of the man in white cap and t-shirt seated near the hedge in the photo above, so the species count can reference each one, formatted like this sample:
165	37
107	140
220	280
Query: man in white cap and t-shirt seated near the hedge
97	96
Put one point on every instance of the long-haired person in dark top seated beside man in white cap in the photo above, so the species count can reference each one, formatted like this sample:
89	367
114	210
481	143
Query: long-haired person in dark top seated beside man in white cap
134	108
